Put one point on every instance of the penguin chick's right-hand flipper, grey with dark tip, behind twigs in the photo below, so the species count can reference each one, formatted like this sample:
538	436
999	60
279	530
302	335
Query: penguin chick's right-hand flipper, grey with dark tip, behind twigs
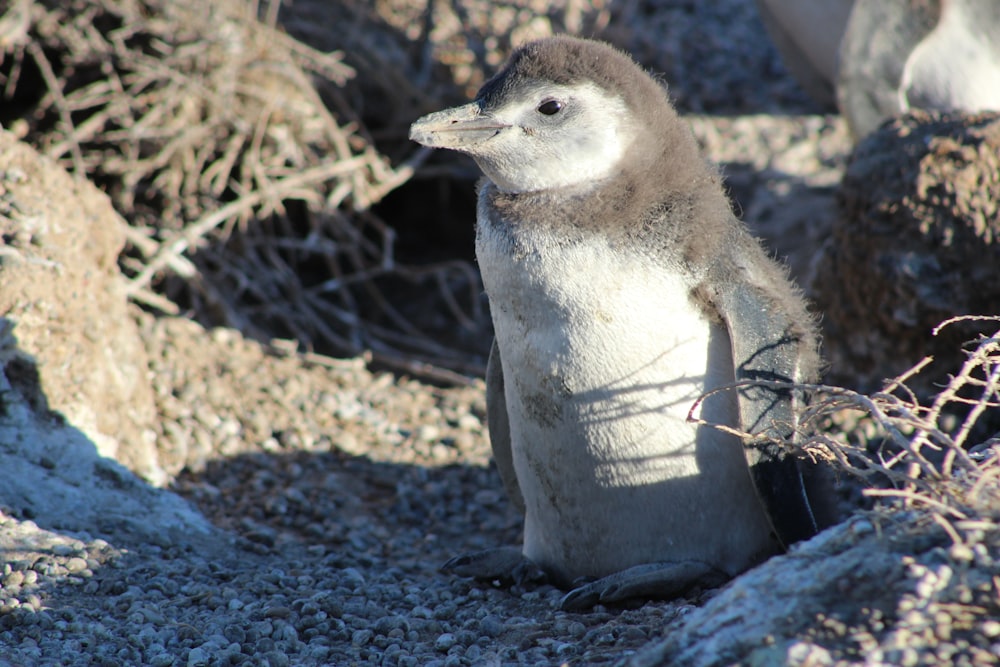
766	346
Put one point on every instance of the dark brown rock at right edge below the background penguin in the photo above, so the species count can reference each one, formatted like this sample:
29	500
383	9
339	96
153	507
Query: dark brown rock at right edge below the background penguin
917	241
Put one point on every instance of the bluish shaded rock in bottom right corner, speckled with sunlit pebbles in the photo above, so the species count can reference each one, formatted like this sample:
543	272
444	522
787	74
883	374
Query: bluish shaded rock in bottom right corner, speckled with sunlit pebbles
842	594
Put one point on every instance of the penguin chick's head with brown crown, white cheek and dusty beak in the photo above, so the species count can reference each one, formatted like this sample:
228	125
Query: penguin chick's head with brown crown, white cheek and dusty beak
563	112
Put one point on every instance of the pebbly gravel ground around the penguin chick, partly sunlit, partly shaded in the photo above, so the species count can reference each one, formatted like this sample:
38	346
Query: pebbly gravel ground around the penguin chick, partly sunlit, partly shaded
337	492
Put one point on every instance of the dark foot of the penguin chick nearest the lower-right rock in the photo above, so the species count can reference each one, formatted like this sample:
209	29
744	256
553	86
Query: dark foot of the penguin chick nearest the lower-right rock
660	581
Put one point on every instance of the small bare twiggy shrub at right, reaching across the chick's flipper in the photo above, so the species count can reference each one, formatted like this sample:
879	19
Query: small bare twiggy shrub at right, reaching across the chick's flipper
922	463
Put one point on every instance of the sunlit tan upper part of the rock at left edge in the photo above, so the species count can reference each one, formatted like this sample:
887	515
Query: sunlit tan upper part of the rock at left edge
70	346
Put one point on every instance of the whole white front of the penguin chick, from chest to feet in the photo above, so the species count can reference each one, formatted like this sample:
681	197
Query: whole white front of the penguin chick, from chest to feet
603	357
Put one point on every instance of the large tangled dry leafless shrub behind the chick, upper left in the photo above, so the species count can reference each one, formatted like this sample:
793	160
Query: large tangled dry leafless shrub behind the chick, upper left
248	199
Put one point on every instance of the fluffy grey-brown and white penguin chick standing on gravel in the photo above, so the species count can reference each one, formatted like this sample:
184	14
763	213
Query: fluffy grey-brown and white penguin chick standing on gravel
622	289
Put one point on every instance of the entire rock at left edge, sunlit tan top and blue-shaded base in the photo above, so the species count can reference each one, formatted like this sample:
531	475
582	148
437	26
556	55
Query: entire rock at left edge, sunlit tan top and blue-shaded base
75	397
